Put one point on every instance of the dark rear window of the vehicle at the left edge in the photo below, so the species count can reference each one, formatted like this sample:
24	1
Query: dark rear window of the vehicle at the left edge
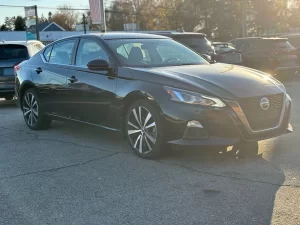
13	51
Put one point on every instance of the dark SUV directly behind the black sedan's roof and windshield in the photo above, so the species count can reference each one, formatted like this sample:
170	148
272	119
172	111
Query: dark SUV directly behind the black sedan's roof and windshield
196	41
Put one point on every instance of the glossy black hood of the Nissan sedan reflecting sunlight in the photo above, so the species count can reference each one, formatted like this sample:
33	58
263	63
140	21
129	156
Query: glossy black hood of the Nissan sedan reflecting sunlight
217	79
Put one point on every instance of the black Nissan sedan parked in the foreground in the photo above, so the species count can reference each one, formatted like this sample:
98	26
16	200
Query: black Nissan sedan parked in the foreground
152	89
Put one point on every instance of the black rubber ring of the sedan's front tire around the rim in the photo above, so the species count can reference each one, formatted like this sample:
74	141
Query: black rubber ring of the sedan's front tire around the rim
156	150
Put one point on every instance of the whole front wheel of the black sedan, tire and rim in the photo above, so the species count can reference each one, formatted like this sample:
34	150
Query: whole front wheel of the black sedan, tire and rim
143	130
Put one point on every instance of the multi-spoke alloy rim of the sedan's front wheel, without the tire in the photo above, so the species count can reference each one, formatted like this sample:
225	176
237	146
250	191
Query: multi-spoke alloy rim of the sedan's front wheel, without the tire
141	130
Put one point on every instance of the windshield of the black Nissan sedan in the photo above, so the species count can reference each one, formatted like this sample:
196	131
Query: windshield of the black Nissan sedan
154	53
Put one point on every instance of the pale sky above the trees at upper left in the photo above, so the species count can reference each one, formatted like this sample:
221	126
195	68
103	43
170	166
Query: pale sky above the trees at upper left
9	12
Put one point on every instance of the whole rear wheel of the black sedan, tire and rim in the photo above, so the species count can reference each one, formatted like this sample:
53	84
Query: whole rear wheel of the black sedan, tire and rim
33	112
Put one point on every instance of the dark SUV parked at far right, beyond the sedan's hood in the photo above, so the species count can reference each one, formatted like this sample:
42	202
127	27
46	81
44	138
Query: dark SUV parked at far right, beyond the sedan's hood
272	55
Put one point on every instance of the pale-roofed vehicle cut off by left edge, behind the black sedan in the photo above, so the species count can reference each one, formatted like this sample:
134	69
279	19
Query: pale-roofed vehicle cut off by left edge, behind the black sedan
12	54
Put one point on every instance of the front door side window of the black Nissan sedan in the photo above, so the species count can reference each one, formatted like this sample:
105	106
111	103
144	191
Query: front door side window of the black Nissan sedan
89	50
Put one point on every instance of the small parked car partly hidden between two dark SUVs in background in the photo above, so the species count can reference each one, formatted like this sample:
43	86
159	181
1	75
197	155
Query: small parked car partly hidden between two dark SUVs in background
227	53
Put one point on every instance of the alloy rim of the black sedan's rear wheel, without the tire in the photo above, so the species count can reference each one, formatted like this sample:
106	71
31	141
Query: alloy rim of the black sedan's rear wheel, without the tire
30	109
